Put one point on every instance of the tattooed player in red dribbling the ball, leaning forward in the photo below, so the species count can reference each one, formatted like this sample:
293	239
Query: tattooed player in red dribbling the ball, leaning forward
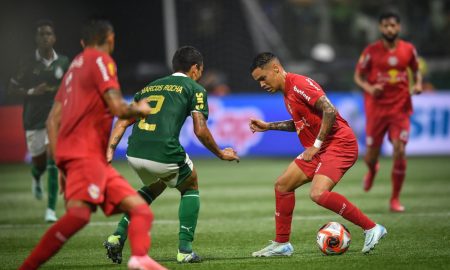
330	150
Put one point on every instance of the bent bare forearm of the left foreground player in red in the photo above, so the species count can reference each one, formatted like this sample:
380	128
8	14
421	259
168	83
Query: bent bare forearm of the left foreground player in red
119	107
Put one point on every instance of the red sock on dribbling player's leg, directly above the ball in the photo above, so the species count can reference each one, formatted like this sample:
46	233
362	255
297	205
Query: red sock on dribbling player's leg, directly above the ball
340	205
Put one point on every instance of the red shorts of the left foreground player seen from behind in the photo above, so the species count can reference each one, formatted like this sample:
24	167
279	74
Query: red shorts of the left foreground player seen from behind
95	182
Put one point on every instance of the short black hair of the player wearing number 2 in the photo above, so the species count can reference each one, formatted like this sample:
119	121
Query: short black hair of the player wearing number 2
185	57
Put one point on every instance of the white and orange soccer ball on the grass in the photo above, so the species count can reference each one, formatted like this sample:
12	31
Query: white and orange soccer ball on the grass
333	238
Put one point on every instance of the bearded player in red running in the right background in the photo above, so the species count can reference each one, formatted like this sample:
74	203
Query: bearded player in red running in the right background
382	72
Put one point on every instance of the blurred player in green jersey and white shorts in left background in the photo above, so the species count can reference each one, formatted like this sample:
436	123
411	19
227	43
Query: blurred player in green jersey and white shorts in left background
37	80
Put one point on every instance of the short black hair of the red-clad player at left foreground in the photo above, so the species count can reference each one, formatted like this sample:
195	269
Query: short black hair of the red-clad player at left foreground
95	31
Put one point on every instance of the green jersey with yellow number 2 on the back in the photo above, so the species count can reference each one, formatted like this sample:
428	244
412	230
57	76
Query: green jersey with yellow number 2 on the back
172	99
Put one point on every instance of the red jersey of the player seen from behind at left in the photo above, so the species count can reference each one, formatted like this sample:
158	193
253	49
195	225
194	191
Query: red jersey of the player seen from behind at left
85	118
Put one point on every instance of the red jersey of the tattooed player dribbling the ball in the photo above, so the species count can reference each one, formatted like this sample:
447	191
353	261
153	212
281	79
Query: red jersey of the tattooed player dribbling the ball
300	95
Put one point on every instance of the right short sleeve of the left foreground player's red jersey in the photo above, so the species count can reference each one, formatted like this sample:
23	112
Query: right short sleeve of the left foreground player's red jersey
105	74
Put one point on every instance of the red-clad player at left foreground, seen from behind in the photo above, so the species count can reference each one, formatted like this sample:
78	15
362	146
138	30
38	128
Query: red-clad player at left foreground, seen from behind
78	126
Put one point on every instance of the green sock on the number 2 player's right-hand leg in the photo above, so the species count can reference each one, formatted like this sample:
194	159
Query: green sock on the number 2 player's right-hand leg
188	215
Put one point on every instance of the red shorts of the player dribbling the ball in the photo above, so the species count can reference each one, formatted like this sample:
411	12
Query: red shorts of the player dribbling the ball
333	161
